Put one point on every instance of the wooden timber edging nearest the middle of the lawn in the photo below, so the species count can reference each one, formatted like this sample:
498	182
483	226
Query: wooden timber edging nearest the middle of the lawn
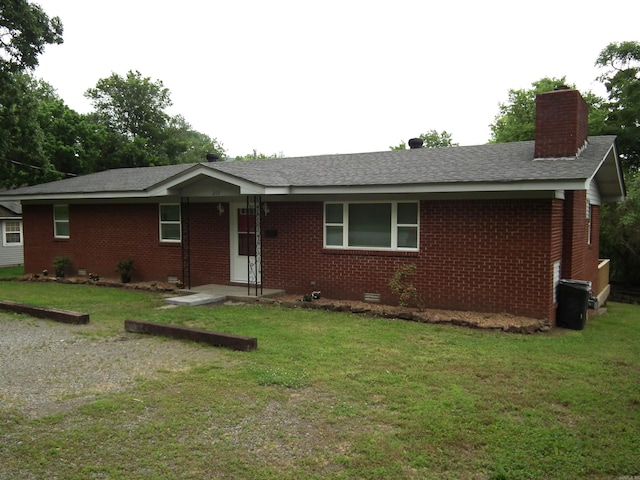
234	342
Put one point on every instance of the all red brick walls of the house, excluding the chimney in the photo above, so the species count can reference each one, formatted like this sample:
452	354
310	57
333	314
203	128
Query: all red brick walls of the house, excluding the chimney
490	255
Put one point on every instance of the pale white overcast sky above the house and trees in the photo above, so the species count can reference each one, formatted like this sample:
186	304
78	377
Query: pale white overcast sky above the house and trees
311	77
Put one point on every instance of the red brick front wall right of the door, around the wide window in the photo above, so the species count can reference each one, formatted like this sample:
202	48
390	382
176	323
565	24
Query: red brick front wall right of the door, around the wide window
474	255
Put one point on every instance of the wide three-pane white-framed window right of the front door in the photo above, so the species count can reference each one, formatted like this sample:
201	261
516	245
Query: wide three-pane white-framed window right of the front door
371	225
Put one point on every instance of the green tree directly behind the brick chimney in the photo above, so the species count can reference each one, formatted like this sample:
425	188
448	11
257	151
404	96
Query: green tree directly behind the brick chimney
516	120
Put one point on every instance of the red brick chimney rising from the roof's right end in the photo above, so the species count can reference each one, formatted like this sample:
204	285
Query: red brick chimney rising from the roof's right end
561	123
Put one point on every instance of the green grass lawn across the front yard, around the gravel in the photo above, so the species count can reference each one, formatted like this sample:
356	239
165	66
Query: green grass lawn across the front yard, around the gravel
337	396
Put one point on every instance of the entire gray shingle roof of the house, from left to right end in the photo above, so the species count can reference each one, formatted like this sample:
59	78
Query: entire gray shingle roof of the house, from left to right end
506	162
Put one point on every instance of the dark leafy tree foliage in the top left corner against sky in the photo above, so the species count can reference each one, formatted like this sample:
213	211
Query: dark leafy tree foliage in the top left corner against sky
25	29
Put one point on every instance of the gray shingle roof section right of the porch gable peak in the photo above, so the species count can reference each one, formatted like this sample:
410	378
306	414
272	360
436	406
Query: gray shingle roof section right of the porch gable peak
506	162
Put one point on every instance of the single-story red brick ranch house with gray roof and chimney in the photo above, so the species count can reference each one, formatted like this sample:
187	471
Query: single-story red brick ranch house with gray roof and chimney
490	228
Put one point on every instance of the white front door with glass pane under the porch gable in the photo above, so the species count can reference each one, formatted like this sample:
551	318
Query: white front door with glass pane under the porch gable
244	239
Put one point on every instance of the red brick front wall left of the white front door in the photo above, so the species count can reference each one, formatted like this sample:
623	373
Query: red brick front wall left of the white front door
102	235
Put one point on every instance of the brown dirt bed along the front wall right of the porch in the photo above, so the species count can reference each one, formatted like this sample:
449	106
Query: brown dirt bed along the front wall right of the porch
497	321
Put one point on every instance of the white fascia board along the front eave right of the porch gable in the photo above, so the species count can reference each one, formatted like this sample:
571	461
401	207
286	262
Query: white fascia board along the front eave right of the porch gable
578	184
